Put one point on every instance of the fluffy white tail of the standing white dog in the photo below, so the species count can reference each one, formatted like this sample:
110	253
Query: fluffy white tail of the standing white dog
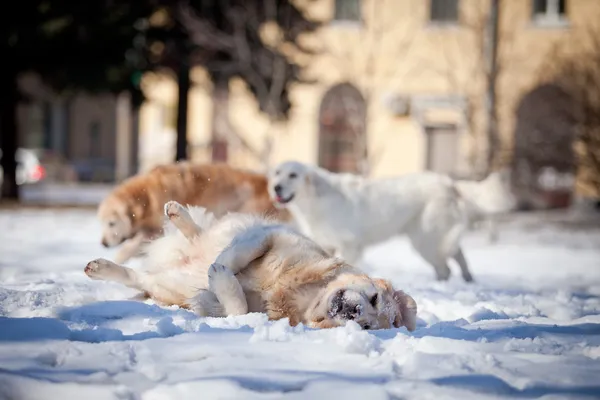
489	196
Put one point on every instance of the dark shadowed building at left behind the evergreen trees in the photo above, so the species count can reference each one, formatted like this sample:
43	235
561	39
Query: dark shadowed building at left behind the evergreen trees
81	137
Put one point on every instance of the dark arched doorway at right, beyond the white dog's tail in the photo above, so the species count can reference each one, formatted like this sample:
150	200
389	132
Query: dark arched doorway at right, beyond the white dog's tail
544	160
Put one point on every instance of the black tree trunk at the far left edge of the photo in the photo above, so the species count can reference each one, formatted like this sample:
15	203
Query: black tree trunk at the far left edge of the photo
9	100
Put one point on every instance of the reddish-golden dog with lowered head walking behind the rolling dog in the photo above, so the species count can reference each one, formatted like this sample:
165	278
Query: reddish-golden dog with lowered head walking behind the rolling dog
132	213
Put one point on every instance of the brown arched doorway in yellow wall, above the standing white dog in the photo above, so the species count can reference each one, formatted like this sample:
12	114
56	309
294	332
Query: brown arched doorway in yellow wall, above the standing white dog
342	129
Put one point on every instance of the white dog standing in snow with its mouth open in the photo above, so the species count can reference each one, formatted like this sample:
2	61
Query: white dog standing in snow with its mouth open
345	213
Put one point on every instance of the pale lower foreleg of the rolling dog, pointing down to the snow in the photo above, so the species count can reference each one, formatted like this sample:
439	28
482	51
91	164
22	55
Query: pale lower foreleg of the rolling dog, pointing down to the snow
223	283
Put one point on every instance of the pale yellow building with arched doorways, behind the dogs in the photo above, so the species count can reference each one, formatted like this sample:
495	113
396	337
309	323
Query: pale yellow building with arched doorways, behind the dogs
401	87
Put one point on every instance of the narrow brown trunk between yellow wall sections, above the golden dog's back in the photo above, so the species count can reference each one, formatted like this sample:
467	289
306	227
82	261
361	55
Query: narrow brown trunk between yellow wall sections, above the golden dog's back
220	121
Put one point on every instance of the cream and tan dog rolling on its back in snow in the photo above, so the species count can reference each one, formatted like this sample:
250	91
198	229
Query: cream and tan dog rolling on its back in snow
242	263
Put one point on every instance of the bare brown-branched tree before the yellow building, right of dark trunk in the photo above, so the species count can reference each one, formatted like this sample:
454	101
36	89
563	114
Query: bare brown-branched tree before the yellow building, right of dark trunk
247	48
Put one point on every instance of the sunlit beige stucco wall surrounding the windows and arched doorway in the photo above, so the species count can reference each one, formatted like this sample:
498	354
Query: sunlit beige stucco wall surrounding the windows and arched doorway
396	51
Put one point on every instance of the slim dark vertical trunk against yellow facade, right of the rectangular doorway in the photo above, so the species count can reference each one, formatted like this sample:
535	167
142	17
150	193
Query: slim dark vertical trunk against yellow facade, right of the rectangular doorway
491	55
